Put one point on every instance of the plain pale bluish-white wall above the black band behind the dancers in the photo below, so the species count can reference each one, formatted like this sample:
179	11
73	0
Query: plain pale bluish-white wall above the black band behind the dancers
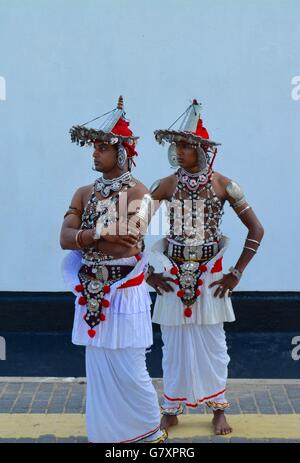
65	62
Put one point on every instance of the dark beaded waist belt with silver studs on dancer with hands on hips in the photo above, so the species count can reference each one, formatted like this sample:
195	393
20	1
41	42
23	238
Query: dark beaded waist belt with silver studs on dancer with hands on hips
194	253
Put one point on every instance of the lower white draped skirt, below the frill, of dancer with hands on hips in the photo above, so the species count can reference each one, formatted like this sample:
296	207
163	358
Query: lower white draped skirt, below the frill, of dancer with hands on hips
195	365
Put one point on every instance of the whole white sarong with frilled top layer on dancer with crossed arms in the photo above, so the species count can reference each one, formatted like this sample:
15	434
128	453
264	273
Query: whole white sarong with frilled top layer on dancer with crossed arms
122	405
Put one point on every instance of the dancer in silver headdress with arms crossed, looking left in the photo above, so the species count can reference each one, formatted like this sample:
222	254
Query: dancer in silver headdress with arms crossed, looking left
106	272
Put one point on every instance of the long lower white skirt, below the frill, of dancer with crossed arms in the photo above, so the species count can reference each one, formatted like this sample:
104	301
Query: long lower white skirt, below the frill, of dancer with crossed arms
121	404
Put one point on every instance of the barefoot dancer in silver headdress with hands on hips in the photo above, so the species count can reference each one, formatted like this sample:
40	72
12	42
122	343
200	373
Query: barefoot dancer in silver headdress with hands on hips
193	294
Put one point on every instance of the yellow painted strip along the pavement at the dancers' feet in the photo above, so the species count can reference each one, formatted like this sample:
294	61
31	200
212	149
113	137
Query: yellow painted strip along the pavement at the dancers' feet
64	425
